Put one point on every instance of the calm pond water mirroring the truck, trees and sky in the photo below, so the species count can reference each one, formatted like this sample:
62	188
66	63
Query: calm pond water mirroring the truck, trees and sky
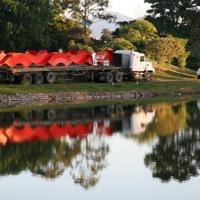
138	151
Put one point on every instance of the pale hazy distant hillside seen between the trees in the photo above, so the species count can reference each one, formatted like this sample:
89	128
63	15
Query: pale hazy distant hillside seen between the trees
99	26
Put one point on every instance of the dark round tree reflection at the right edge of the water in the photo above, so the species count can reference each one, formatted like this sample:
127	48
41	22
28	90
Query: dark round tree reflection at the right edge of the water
177	156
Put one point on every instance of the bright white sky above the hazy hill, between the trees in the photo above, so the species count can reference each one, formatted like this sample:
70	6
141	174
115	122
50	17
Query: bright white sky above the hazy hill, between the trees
130	8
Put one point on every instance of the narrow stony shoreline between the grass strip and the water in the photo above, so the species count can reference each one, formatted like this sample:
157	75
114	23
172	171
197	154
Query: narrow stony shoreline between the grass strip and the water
81	97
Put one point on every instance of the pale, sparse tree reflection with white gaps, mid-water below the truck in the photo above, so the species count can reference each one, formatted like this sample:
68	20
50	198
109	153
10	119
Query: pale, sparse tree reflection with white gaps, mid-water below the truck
86	166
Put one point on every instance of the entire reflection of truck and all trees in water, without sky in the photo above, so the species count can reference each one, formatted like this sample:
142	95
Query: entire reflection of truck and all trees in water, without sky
46	142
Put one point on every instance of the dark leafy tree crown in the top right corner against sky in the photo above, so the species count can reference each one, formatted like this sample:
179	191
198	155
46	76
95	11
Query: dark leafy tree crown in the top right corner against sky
174	16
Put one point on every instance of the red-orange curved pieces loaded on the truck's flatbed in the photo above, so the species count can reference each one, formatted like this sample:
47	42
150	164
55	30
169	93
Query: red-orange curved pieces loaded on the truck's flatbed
53	59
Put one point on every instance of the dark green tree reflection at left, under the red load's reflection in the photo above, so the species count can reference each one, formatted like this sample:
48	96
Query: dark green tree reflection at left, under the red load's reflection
48	159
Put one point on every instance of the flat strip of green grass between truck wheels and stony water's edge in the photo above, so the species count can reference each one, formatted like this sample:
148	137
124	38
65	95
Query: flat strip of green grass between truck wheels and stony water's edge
160	87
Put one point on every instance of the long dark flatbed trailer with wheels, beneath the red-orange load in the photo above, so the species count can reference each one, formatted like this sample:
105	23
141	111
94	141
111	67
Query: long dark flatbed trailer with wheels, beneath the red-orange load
49	74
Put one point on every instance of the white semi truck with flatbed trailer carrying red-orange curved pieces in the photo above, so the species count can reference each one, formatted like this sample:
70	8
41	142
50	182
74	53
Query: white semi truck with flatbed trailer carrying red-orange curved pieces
44	67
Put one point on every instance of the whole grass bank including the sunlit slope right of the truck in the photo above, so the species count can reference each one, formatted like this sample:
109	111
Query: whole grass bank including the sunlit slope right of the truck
168	79
